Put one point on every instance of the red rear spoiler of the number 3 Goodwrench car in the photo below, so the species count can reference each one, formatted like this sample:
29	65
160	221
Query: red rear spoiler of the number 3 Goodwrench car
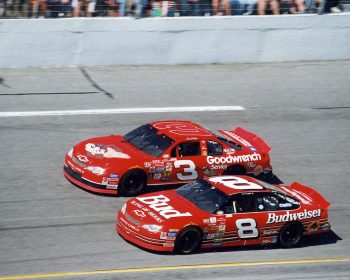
247	138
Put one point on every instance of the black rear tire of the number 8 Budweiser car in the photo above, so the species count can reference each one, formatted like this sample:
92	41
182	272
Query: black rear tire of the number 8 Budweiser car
290	235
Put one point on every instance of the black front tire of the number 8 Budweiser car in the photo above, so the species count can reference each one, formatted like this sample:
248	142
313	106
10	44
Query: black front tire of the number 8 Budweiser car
188	240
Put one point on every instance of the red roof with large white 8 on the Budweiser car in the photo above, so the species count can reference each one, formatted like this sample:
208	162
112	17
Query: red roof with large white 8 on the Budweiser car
230	184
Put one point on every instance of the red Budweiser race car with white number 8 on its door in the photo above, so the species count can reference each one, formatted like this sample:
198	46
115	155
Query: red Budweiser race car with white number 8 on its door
223	211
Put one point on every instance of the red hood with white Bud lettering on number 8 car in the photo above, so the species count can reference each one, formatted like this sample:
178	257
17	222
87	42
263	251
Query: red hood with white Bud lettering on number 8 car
161	208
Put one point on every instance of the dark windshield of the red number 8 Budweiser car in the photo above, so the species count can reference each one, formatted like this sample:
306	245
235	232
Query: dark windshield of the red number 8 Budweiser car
203	195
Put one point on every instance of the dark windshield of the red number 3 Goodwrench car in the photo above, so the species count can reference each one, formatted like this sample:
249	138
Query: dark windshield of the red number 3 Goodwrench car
146	139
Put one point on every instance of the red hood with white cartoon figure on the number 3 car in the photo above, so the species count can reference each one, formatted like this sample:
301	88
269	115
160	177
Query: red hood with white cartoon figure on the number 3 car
103	151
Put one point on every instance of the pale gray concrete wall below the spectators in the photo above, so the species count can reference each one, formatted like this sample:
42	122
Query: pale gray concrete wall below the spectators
127	41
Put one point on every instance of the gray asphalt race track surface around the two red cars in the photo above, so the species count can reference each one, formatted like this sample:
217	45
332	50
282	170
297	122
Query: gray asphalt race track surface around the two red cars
52	228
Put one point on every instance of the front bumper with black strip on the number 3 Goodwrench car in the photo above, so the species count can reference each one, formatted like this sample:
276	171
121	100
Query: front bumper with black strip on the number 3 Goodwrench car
77	179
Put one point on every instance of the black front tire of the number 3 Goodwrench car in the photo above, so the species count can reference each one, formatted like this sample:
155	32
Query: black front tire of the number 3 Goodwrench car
133	182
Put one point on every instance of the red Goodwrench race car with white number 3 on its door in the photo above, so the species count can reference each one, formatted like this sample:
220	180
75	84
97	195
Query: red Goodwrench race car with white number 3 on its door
164	152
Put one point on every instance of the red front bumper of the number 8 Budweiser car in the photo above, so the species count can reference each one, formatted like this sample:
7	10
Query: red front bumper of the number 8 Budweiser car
140	239
